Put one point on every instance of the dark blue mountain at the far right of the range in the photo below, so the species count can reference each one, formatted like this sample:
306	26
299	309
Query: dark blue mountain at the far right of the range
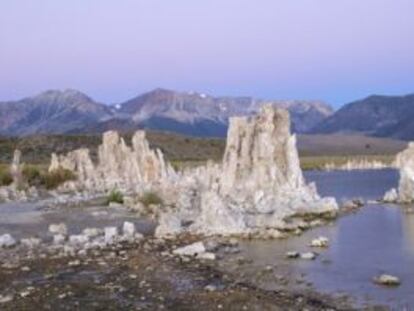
382	116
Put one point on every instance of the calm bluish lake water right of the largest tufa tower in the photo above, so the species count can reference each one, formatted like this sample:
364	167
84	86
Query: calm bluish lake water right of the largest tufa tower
377	239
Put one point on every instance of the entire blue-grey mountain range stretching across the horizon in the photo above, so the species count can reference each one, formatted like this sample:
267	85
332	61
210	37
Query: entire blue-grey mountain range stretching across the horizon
198	114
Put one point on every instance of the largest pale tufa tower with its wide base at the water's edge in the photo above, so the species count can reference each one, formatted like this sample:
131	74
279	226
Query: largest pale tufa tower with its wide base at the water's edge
257	187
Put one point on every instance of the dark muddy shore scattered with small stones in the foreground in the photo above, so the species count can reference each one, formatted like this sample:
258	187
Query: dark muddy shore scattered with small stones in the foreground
139	276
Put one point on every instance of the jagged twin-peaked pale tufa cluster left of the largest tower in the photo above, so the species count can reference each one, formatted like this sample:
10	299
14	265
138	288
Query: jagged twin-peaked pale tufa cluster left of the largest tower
119	165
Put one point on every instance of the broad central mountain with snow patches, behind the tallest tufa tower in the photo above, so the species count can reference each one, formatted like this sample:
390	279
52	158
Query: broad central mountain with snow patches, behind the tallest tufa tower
203	115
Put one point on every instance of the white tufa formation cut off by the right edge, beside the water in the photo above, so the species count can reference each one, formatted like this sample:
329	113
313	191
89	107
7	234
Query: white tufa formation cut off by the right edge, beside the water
405	163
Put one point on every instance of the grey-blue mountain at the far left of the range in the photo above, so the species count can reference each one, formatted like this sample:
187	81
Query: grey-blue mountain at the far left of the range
50	112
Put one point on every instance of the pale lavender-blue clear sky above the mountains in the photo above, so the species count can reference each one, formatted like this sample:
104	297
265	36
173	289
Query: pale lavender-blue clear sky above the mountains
336	51
